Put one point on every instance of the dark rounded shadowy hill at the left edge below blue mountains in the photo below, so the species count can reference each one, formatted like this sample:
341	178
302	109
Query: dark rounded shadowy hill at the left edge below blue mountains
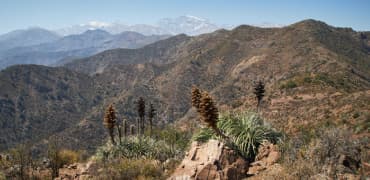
38	101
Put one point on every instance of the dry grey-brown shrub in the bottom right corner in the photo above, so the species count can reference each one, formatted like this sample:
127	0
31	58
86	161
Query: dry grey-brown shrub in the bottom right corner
328	152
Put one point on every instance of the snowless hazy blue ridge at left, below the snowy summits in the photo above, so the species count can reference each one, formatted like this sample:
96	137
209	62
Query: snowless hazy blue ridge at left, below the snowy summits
74	46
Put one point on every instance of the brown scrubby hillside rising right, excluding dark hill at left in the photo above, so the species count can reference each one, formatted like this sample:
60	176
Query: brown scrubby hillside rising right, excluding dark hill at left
228	62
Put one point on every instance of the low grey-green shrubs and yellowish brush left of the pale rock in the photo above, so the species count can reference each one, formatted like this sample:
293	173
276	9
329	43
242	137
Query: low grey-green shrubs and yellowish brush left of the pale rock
143	157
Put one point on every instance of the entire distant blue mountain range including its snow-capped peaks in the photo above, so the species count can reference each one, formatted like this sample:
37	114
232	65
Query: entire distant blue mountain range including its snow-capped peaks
46	47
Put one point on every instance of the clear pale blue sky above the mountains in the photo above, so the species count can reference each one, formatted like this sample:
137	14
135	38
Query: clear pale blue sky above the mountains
53	14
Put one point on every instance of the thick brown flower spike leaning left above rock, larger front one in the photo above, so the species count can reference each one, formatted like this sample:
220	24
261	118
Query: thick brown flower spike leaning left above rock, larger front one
209	113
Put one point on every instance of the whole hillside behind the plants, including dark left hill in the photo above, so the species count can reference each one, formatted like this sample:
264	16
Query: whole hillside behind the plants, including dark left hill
315	75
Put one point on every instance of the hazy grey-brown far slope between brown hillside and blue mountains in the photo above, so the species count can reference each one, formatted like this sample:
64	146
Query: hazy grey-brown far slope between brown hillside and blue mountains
161	52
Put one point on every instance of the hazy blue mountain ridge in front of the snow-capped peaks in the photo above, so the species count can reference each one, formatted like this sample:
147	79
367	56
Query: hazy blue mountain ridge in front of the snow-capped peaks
50	50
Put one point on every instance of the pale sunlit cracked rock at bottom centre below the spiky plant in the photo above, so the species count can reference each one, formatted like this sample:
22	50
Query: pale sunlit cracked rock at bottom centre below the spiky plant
212	160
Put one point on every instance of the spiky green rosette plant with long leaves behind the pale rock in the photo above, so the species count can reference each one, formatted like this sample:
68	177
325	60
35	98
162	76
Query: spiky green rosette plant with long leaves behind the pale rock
246	131
